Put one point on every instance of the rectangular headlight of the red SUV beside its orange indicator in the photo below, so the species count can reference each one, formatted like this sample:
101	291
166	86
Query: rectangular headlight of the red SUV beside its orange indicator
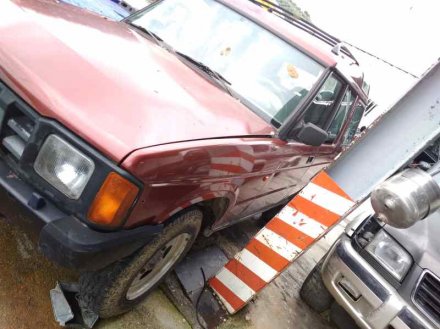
64	167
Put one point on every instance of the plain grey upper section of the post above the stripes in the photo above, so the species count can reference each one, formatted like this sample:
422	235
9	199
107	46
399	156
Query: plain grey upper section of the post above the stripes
394	141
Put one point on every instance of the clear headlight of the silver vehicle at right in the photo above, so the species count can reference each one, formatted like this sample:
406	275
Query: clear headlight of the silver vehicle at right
390	255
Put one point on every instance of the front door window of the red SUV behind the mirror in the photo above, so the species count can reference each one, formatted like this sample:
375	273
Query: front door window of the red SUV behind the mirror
322	107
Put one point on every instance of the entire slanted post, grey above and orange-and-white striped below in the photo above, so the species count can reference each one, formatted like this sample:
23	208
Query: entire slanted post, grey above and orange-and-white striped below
395	139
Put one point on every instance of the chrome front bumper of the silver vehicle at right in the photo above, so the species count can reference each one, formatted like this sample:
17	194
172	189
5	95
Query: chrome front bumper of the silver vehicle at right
364	294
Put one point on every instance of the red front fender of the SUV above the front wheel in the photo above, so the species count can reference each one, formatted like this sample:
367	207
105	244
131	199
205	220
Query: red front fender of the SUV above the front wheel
177	175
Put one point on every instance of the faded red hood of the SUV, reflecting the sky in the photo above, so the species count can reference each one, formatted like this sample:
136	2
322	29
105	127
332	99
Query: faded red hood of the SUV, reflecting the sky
108	84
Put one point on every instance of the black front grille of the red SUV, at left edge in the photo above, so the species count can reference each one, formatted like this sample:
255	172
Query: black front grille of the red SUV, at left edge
16	126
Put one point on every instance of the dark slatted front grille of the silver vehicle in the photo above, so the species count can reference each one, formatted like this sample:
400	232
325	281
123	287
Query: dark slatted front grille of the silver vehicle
427	296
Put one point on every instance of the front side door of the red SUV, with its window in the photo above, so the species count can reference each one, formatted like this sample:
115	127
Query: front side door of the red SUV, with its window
294	158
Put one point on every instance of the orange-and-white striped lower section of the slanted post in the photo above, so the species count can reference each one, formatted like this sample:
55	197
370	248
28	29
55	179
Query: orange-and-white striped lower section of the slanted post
306	218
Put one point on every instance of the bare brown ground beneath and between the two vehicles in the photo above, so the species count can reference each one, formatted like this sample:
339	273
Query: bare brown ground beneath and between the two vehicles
26	278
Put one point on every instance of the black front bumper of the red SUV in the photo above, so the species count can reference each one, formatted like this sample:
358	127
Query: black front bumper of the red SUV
64	239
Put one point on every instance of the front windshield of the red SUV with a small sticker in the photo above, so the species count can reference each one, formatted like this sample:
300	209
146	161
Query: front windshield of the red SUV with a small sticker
267	73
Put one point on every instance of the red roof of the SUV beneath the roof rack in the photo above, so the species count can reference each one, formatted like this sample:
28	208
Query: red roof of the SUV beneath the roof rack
313	46
